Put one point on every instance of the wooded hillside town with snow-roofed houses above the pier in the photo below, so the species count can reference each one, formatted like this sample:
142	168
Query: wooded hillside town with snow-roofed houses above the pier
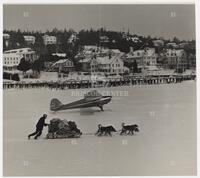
67	55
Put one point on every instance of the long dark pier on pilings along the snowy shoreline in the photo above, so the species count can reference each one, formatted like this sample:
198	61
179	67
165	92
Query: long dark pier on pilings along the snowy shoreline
125	81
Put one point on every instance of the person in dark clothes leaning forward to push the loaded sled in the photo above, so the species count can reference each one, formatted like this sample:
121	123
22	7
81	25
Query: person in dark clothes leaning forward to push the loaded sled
39	127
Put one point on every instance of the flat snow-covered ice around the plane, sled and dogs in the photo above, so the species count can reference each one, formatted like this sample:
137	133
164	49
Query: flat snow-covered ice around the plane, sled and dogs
165	145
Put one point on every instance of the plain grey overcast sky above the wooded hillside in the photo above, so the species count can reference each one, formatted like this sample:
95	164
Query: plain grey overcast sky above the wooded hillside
155	20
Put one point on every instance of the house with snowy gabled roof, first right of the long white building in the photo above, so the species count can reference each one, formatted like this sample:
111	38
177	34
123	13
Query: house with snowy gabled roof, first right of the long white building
63	65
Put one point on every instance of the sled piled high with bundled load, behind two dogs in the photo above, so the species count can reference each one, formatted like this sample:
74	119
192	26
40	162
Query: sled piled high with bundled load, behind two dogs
62	129
